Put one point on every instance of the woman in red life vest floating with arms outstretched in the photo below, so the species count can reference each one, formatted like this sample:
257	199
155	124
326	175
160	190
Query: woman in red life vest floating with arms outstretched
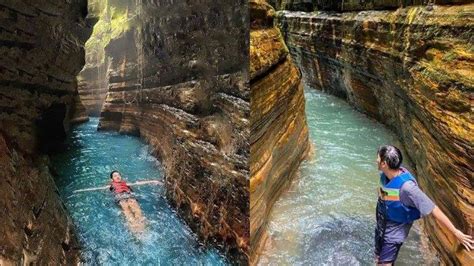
124	196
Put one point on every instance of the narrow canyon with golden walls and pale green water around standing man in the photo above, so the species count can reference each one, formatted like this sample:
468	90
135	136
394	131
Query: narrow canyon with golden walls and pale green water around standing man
405	65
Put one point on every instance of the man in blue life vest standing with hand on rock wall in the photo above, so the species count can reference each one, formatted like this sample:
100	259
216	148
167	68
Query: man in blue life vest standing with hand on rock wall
400	203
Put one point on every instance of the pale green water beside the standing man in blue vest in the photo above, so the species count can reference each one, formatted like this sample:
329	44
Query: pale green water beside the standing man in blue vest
328	215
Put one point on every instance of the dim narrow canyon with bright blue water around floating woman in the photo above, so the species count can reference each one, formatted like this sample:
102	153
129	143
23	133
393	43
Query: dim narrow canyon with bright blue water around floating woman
163	71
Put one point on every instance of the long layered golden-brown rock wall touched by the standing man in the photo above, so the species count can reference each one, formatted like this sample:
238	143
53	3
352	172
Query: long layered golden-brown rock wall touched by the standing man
411	69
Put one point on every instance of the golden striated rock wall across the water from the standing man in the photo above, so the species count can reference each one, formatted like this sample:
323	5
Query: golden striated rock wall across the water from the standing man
279	138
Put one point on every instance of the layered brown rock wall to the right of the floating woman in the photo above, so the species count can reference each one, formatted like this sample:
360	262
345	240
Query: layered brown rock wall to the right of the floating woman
178	78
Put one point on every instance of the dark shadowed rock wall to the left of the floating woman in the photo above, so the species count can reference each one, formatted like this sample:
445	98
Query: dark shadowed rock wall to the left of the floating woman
41	43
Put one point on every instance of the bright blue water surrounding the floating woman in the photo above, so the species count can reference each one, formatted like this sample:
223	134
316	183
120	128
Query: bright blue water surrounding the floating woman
101	226
